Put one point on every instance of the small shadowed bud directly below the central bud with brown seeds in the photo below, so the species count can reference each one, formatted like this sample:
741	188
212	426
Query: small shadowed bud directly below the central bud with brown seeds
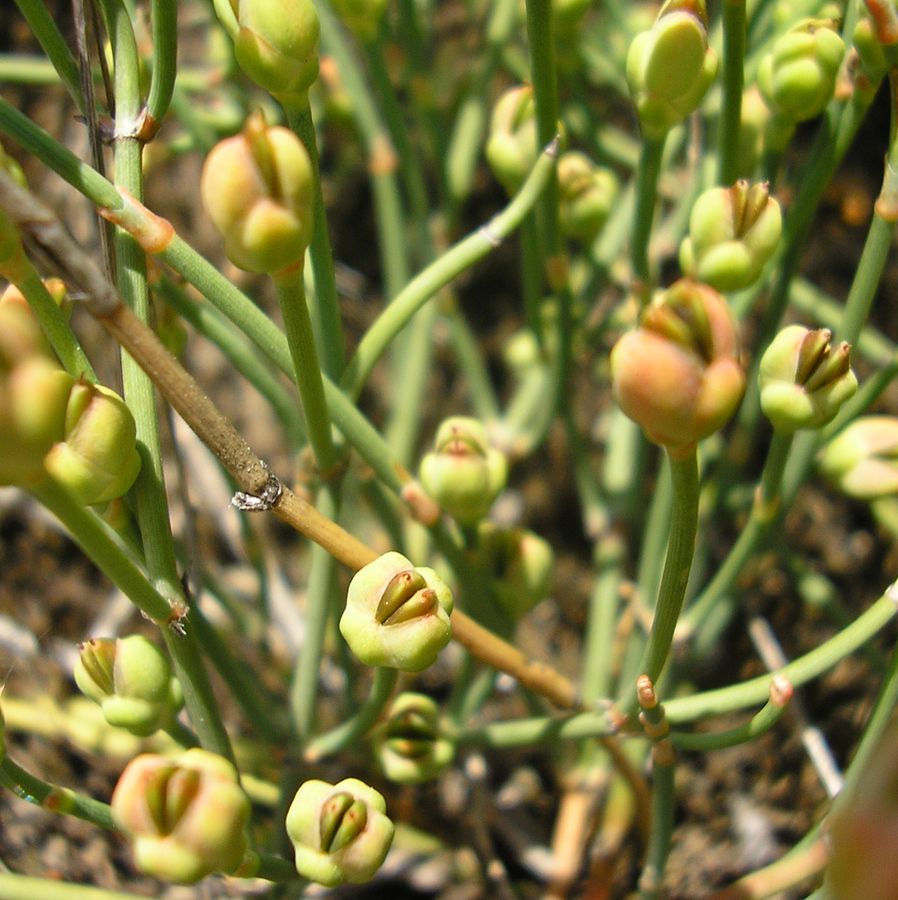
408	744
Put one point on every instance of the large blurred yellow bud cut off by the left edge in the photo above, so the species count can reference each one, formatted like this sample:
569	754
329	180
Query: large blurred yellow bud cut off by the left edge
34	394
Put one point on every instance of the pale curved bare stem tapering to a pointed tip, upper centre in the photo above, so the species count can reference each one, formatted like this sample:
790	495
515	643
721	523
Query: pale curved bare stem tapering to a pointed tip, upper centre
456	260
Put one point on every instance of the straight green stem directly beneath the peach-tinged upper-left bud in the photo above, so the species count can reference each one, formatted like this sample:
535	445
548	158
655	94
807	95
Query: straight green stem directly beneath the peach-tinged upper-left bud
307	371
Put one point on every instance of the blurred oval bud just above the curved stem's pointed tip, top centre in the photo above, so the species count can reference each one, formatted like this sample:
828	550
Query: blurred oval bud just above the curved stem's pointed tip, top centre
511	147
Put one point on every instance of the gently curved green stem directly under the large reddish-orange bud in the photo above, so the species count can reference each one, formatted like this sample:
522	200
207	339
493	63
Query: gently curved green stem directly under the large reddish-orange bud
677	564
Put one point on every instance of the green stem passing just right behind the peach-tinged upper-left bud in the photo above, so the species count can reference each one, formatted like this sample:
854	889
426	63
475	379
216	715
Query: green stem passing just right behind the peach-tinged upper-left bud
329	324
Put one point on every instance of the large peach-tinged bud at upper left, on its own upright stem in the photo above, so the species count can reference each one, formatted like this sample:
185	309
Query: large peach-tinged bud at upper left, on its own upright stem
257	189
